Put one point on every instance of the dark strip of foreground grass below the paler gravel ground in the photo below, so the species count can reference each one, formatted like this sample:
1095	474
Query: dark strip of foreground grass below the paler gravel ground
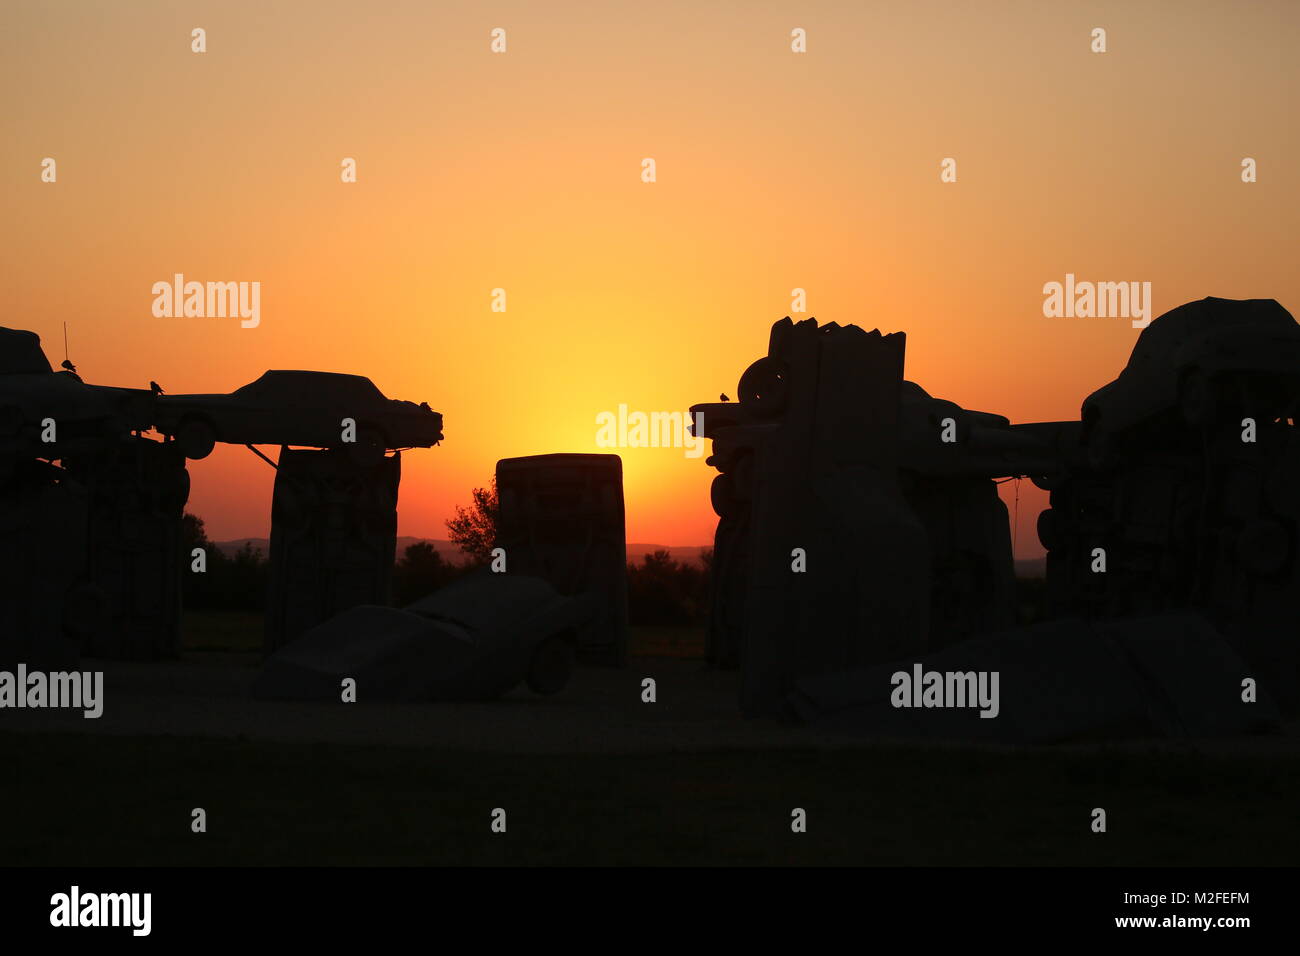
102	801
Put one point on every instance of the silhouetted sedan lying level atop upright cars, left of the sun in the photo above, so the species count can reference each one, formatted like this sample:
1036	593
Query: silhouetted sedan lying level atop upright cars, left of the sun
289	408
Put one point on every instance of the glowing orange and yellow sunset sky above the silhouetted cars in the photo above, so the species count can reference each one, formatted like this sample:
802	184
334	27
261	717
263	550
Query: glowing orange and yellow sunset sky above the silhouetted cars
522	171
